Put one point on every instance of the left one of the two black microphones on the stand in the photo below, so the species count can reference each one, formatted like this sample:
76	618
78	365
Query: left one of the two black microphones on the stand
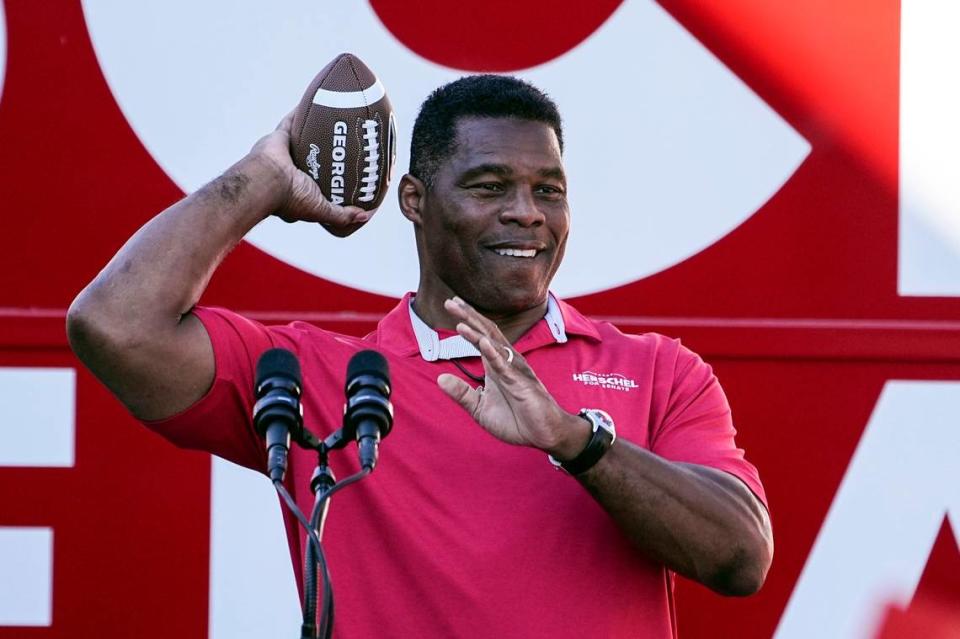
278	412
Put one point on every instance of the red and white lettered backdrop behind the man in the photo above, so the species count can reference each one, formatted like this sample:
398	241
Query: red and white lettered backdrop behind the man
775	183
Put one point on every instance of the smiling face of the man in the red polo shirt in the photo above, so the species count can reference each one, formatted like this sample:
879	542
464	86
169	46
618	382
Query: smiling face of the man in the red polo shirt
495	221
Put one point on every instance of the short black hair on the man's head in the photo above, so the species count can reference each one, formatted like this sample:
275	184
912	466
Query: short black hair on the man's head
482	96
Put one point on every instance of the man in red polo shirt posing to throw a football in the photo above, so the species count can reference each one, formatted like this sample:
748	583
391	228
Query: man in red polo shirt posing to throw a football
464	530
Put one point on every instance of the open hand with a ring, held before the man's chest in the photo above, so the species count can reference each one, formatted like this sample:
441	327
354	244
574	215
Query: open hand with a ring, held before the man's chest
512	405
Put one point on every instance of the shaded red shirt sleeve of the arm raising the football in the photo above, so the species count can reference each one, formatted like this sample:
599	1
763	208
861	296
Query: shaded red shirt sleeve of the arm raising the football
221	422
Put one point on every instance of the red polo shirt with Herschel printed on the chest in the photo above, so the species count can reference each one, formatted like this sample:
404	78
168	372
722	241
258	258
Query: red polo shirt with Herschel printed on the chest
457	534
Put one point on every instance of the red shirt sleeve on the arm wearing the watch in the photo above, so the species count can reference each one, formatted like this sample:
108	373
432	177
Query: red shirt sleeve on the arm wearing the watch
697	425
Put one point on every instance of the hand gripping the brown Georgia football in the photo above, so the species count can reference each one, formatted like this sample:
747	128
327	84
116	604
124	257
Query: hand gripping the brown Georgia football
299	198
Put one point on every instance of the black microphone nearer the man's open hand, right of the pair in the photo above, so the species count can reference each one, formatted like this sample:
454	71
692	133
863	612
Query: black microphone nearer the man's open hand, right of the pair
368	415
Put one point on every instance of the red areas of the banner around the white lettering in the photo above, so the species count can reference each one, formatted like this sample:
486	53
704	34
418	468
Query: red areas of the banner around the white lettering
797	308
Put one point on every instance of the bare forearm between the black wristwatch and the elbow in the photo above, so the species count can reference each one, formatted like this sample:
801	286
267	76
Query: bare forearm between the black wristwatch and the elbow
698	521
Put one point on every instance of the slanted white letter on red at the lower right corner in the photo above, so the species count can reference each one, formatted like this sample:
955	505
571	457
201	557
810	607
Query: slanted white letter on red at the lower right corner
878	534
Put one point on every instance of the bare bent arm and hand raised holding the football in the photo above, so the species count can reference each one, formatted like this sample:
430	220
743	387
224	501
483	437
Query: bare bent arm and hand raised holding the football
132	324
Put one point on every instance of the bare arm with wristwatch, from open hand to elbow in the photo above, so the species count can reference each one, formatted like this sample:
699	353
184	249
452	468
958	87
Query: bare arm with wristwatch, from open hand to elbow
700	522
